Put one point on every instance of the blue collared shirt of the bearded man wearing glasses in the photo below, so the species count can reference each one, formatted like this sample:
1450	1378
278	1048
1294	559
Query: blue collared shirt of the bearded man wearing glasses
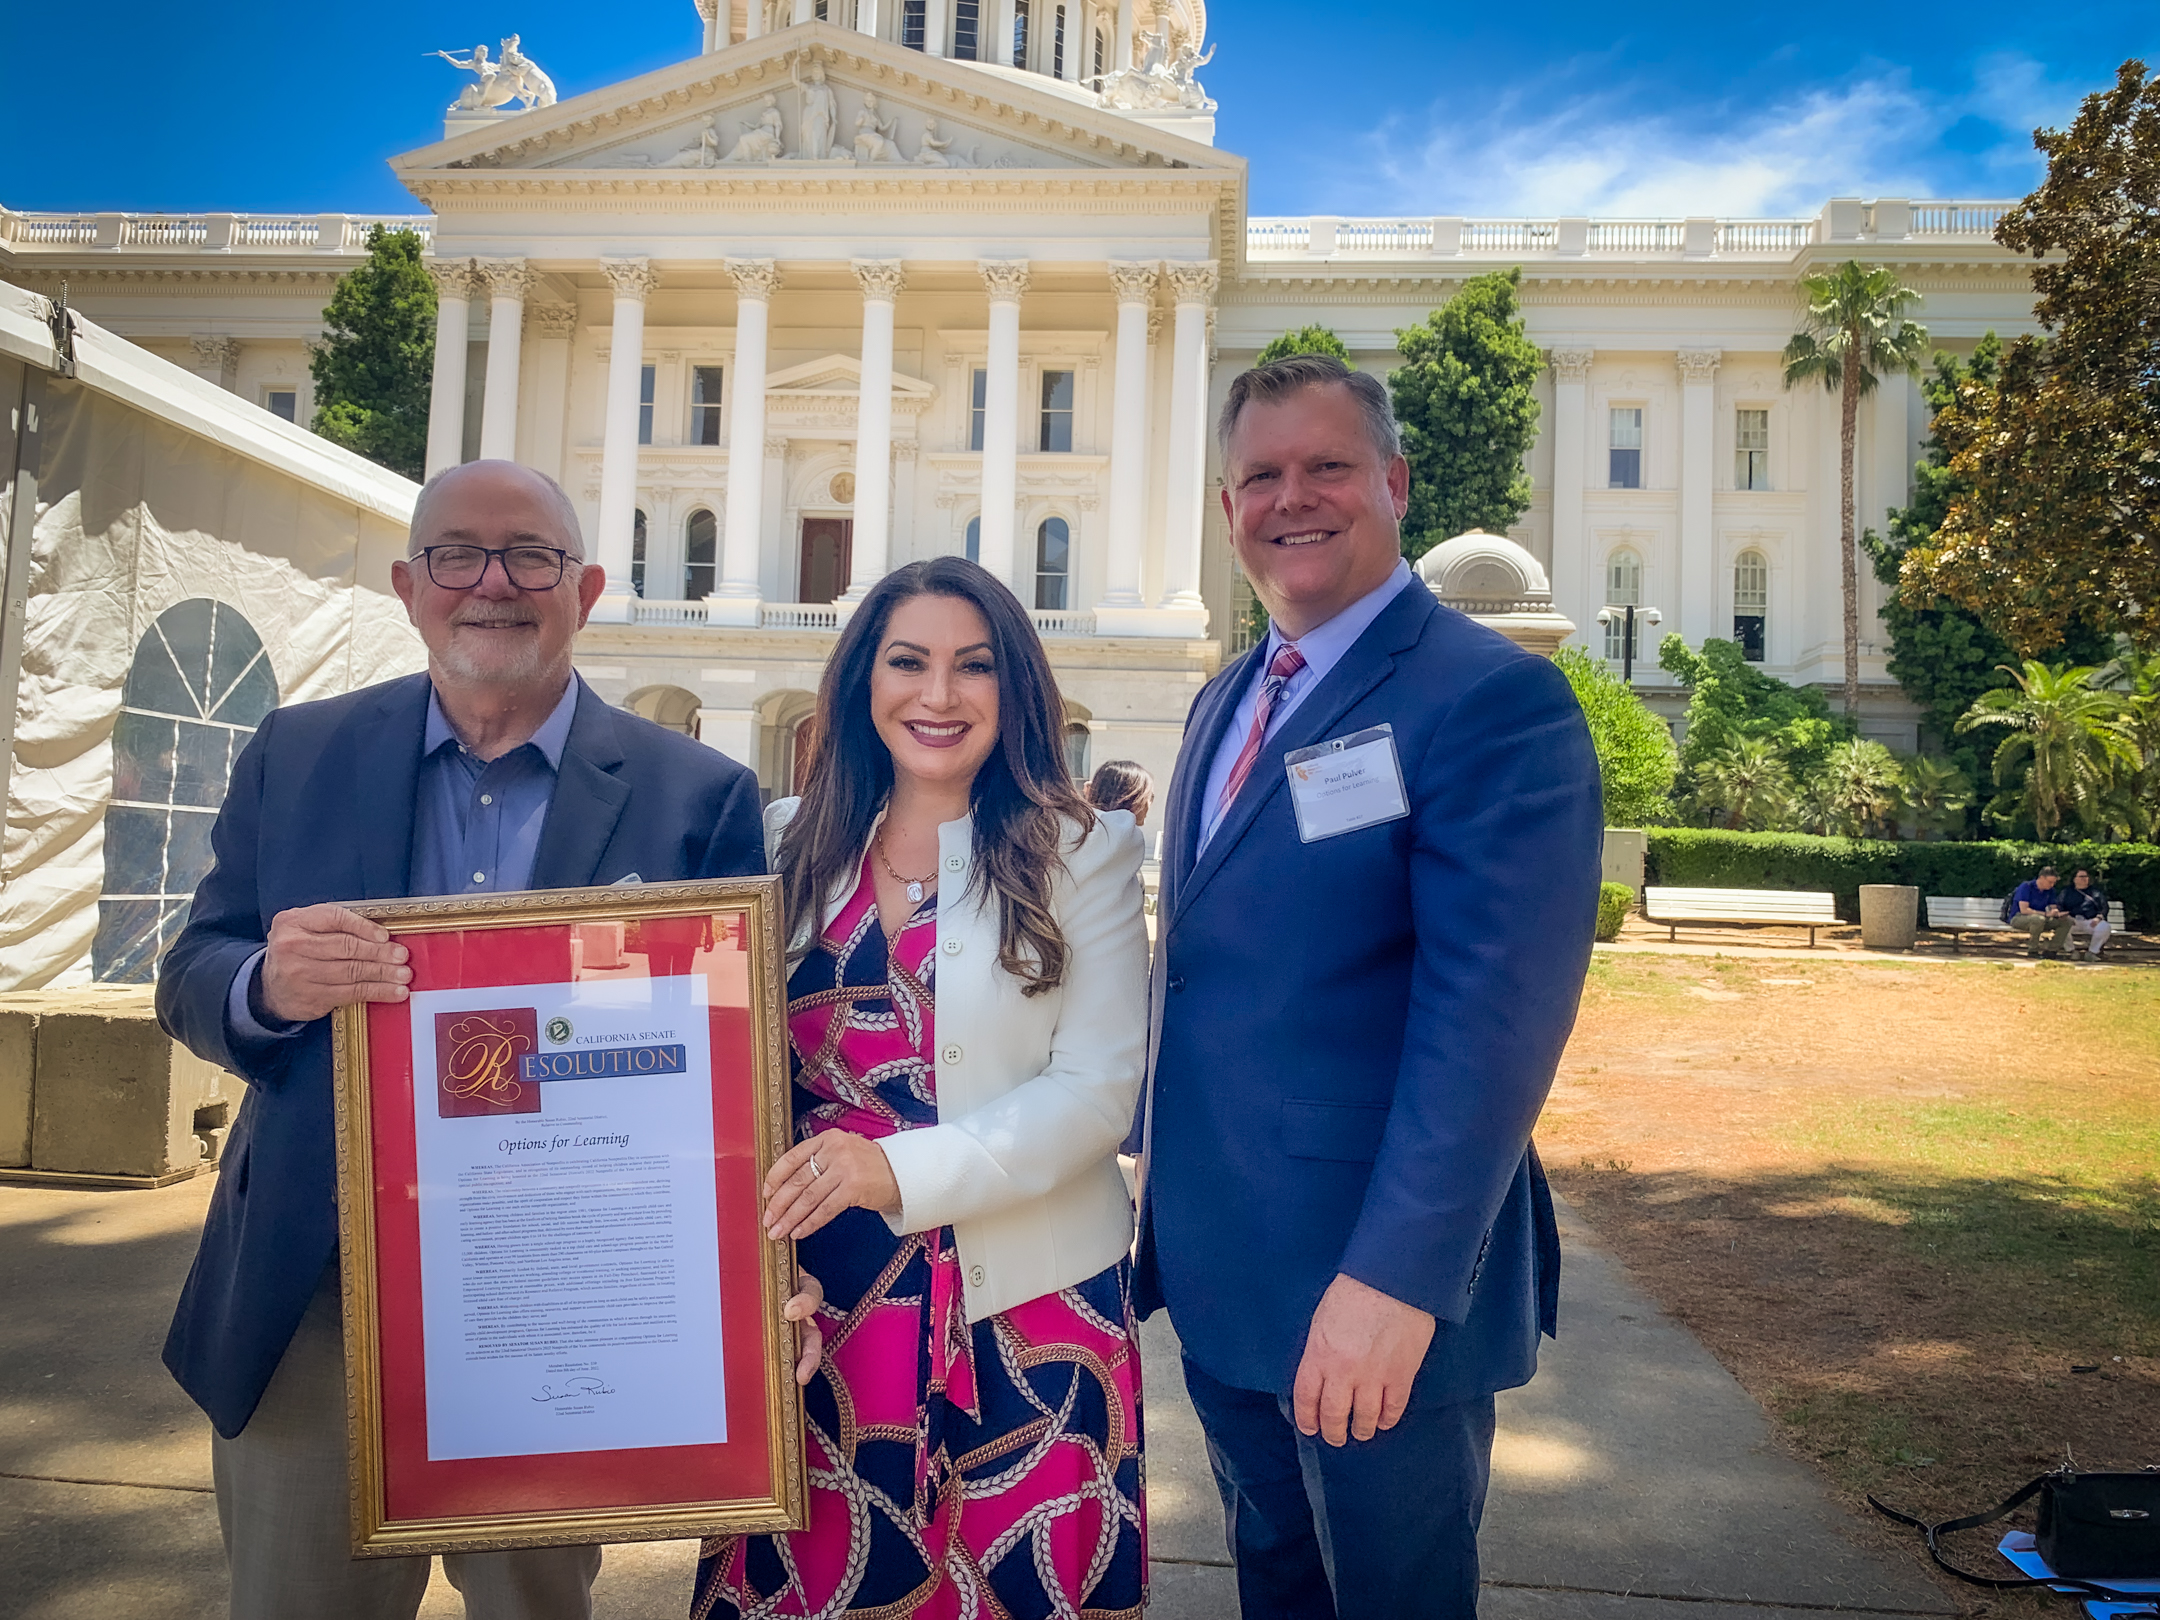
476	826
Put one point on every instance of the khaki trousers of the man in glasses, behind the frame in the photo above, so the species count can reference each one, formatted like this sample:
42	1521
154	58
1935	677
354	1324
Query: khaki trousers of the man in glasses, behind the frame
288	1524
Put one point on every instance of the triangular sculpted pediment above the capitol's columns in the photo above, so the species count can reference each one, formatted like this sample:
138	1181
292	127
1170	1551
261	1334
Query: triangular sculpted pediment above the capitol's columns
794	105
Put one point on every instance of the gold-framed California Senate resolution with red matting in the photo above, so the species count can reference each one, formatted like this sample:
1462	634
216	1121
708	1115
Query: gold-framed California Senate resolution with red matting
563	1314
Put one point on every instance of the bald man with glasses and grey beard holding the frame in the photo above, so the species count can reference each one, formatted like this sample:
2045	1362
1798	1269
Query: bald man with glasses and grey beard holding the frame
498	770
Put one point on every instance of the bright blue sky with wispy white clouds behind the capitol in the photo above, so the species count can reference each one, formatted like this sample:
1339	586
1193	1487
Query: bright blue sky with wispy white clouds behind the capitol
1342	107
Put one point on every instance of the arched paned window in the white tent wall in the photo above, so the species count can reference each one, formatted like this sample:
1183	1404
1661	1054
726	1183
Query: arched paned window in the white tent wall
195	692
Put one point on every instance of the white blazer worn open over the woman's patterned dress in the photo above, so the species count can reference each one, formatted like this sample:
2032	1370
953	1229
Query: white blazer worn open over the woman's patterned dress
1034	1092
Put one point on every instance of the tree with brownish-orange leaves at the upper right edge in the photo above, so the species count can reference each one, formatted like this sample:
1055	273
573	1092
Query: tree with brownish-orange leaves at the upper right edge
2060	511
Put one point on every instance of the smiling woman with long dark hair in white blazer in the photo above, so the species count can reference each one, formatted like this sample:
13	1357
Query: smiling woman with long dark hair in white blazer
969	1010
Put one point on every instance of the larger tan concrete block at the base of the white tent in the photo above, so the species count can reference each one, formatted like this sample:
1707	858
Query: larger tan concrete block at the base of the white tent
116	1096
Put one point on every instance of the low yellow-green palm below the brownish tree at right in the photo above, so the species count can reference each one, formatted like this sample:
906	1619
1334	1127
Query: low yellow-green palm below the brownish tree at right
2064	729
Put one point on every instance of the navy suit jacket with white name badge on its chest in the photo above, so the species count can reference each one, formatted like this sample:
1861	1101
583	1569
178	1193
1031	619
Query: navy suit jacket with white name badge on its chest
1353	1038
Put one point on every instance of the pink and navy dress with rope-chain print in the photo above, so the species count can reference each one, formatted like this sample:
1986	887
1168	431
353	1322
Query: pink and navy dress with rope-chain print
956	1472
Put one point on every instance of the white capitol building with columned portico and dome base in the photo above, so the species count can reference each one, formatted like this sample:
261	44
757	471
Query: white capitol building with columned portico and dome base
861	282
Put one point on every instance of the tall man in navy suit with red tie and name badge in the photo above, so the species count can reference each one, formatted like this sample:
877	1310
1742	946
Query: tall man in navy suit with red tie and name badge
1368	964
